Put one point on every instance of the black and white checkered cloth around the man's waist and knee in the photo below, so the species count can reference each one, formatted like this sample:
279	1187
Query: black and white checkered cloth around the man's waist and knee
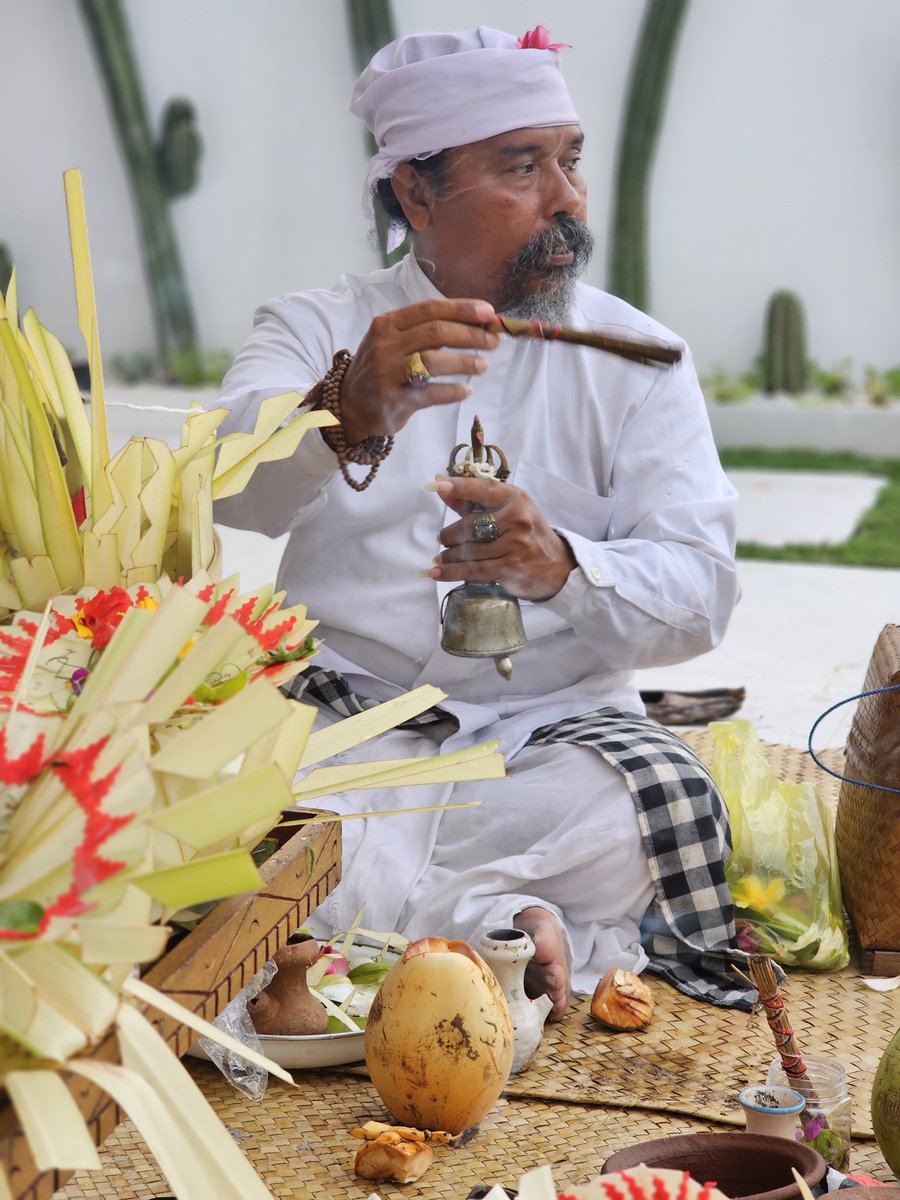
689	928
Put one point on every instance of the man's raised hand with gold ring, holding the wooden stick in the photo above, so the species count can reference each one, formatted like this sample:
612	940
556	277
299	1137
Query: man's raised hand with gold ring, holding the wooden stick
376	398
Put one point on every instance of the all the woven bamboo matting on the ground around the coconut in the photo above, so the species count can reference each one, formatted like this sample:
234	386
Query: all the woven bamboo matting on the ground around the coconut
589	1094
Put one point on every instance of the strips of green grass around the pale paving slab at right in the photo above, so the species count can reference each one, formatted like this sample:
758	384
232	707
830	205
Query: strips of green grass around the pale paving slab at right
877	539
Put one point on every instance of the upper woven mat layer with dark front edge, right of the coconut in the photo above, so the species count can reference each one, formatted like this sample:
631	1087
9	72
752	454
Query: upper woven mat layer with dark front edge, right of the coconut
694	1059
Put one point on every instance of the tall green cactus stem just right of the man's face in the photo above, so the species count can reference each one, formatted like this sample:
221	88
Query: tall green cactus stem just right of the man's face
651	70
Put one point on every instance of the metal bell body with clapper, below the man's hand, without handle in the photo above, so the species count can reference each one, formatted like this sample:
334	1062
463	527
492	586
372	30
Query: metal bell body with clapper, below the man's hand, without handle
483	621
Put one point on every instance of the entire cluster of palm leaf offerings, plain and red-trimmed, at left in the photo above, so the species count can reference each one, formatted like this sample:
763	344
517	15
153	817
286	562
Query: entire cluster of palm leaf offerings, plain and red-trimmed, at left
145	745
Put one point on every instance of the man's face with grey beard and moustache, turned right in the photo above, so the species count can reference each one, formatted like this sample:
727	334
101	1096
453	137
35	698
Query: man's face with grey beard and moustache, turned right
507	224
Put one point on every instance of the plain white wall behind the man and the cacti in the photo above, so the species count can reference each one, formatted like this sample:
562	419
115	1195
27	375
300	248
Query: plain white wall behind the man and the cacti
778	164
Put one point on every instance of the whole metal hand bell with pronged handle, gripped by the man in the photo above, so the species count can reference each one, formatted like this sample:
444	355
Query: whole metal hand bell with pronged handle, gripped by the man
482	621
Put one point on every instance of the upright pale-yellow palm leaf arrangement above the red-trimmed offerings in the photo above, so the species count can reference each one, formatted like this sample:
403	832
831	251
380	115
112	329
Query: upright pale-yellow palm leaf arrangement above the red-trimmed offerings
71	514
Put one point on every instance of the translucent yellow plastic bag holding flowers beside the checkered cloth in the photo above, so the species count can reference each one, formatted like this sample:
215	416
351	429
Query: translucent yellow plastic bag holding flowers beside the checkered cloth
783	873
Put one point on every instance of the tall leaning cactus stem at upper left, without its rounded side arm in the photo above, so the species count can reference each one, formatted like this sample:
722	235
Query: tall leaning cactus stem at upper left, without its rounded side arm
173	314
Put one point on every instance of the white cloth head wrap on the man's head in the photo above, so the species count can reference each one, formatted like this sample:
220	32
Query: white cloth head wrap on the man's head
428	93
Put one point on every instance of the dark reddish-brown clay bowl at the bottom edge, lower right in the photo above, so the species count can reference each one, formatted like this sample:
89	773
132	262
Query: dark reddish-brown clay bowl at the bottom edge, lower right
743	1166
